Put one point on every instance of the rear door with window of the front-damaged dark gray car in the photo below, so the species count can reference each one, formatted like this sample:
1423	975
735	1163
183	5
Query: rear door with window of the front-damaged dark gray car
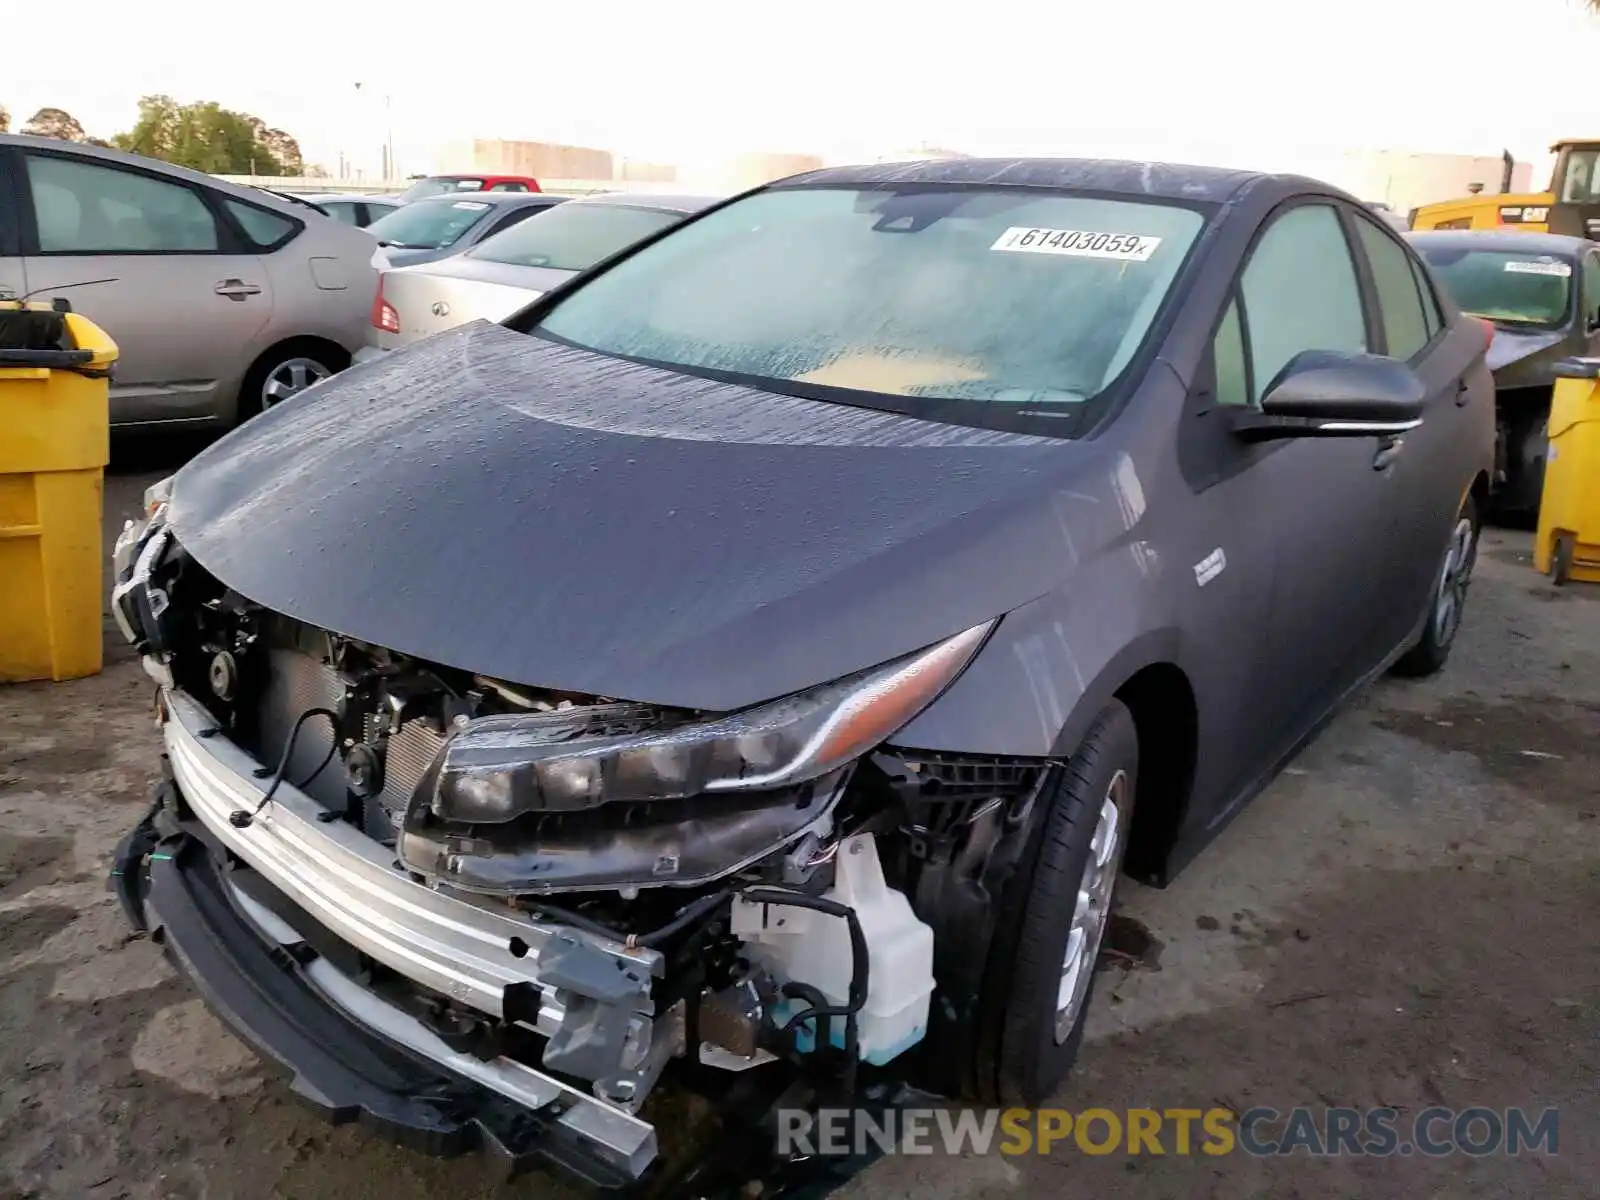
1431	466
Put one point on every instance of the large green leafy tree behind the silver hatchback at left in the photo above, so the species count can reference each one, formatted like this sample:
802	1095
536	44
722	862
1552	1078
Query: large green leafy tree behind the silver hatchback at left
206	137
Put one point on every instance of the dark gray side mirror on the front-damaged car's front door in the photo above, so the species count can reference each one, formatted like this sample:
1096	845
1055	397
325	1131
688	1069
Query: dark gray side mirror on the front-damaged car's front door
1335	394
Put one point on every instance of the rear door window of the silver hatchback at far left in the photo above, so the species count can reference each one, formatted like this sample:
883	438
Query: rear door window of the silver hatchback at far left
89	209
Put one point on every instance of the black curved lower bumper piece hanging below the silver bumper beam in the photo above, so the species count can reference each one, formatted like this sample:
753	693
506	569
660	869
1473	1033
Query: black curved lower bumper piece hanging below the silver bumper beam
335	1063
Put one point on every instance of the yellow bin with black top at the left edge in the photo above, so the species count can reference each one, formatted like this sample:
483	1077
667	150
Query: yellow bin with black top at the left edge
55	441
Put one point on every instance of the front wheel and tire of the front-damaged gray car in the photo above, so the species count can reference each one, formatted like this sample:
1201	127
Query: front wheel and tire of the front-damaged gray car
1025	1052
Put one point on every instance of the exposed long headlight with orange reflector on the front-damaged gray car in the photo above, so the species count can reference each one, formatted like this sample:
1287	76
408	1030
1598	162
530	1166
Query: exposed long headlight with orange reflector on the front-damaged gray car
502	767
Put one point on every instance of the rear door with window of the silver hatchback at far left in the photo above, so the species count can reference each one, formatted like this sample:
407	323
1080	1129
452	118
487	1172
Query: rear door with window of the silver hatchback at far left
148	258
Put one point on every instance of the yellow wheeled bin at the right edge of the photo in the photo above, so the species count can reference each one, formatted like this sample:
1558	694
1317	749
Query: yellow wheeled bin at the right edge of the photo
1569	542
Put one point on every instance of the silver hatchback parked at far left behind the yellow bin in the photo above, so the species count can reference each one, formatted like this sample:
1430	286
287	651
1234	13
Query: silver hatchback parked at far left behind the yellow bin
223	300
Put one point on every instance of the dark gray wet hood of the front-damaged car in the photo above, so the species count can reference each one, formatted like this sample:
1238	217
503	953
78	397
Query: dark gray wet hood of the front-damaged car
554	518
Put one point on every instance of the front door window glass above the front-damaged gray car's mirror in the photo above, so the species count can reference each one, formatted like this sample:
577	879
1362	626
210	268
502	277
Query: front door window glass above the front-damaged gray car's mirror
1300	294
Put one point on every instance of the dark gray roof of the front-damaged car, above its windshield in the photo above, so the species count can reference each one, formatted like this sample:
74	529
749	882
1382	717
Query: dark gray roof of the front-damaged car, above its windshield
1169	182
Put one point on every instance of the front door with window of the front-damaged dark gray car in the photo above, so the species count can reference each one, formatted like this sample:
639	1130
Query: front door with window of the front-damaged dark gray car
1290	537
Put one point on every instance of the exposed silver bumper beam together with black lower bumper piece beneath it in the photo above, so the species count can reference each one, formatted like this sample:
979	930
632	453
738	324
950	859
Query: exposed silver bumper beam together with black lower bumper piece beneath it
263	942
